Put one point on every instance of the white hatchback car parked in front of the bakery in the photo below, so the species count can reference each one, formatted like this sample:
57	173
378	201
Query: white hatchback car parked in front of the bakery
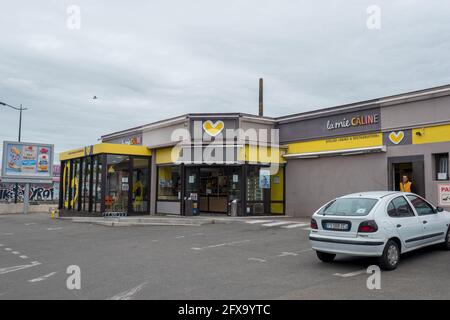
380	224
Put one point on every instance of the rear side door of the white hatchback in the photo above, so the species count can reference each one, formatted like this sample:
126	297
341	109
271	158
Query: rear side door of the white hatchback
405	221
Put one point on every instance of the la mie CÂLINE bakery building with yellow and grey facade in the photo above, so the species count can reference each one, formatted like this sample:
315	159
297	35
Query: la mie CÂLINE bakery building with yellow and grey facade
223	163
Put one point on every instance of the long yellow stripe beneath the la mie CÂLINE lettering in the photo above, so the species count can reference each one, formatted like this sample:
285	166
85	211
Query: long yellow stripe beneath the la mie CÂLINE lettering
337	143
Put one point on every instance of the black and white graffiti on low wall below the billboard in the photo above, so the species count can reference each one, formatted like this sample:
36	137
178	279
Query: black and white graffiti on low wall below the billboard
37	192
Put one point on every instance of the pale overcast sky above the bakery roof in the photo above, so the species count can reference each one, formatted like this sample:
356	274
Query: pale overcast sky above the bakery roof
149	60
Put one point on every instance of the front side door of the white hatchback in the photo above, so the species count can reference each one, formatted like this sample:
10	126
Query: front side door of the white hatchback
432	224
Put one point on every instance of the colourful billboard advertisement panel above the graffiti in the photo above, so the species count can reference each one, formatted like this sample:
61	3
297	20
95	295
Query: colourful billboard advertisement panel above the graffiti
27	162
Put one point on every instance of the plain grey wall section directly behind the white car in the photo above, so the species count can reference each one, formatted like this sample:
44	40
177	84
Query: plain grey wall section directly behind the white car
312	182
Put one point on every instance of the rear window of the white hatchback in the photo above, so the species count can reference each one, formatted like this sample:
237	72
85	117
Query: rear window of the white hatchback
349	207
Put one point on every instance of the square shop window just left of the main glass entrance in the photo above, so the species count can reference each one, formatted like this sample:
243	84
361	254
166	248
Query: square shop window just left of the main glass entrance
169	183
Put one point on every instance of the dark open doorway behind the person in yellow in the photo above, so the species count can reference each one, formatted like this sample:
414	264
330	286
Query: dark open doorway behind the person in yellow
412	167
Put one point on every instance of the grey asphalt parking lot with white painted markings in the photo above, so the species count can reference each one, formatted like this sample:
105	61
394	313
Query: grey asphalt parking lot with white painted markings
239	260
